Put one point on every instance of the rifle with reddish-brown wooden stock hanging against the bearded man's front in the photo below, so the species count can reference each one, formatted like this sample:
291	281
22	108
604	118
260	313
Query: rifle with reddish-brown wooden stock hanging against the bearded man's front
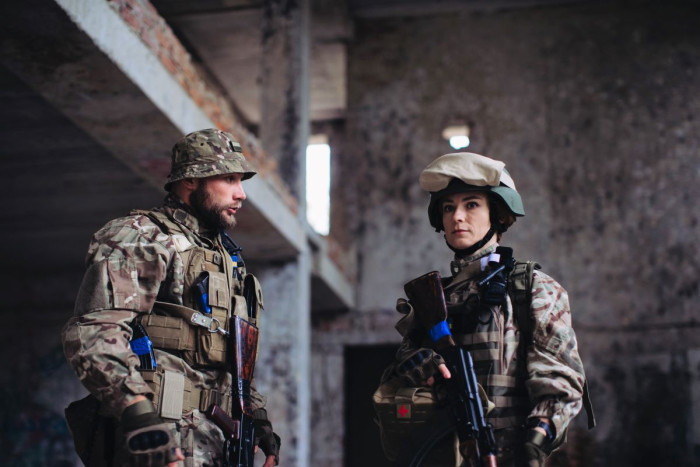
238	428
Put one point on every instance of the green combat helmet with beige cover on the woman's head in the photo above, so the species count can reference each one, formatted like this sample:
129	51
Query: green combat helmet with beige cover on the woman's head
466	171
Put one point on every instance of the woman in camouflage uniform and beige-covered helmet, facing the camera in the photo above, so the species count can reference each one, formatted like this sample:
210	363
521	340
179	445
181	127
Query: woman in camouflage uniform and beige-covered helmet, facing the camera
536	381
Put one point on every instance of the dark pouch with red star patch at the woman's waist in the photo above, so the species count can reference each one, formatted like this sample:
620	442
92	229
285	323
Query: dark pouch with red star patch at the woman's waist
399	411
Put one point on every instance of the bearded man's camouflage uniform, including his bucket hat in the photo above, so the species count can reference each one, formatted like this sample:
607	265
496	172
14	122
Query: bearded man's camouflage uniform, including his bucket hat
133	264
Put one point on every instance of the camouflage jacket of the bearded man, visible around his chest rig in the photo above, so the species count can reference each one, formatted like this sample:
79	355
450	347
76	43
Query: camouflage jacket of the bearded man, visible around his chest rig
131	263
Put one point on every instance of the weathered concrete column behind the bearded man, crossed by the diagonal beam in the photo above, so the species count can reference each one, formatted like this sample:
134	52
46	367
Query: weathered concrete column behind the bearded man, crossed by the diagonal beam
284	130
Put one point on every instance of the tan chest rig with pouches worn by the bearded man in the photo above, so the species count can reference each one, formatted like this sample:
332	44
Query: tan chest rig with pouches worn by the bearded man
215	287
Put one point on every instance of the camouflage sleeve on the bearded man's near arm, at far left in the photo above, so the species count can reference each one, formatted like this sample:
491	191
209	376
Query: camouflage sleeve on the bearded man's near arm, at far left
126	264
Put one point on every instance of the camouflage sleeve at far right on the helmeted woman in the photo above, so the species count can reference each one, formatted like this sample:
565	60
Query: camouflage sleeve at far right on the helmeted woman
555	372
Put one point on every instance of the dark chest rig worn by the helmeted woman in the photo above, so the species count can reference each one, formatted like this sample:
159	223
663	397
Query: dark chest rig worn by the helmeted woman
480	317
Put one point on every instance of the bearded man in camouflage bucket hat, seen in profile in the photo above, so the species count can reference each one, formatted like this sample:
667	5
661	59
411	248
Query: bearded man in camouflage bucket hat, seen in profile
142	270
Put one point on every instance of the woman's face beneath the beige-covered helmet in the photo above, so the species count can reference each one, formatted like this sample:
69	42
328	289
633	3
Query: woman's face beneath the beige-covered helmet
466	219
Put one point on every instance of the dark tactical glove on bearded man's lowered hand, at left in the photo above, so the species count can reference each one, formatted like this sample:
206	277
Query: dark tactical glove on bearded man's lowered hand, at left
149	439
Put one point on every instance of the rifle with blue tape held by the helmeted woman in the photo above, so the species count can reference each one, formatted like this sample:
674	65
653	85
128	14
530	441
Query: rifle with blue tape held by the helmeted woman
428	300
